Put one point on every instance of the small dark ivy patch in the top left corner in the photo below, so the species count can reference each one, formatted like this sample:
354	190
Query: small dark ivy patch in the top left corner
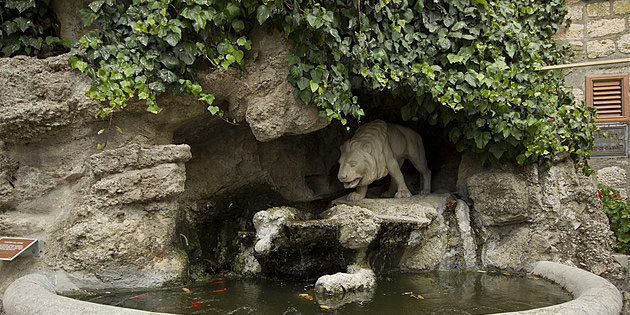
28	27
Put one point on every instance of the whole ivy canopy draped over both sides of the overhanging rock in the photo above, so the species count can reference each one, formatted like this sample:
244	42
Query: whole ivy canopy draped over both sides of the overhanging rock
469	65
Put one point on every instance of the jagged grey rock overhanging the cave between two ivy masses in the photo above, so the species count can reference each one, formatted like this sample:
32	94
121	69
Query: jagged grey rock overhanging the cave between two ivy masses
261	95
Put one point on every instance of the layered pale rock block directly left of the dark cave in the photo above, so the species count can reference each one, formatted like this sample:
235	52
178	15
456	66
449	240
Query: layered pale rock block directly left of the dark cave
126	226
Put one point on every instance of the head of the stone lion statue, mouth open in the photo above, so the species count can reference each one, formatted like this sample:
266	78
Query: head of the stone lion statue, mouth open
357	166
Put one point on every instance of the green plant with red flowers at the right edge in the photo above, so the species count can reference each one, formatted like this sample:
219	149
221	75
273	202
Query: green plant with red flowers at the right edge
618	211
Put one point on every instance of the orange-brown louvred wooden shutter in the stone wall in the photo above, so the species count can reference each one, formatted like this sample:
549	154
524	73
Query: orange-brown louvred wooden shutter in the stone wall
608	94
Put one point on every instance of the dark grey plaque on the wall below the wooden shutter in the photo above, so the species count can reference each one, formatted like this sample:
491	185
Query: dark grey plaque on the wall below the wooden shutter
615	144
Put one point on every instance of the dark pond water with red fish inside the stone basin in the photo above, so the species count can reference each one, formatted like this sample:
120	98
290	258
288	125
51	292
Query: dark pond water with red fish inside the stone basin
449	293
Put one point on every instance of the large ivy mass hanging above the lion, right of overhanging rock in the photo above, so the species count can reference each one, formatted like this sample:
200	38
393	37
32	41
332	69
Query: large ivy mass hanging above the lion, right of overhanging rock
467	64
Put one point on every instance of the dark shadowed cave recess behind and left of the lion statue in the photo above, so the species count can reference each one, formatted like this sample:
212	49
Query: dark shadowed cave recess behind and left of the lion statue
232	176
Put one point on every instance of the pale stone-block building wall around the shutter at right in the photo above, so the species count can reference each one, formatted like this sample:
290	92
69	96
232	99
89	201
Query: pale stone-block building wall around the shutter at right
600	31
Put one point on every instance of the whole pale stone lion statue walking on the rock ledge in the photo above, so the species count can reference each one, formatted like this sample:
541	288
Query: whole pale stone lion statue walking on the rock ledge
376	150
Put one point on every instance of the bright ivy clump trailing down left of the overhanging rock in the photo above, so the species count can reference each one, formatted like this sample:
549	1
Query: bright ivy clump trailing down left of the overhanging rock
142	48
